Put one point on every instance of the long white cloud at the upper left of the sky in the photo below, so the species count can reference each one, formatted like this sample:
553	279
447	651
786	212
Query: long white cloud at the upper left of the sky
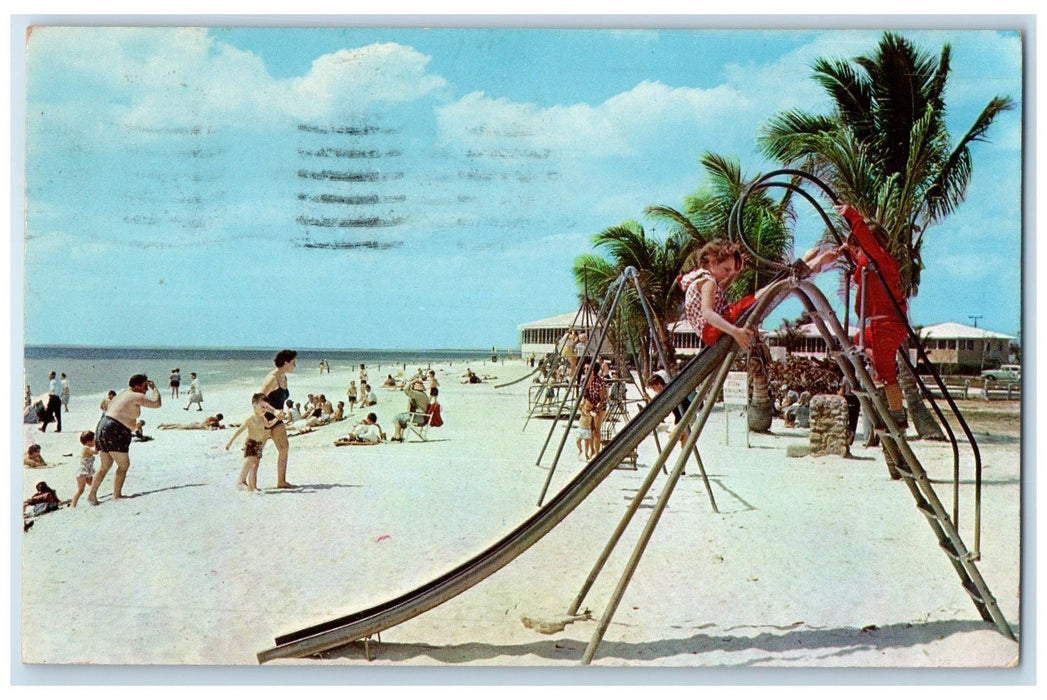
184	78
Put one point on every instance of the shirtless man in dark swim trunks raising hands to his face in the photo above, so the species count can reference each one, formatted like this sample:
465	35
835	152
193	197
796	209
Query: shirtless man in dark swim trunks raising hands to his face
113	438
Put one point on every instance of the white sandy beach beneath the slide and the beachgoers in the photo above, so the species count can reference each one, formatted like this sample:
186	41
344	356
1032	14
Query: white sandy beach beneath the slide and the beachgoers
810	563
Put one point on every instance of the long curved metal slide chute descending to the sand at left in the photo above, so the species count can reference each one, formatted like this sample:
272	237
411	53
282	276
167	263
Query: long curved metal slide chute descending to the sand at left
362	625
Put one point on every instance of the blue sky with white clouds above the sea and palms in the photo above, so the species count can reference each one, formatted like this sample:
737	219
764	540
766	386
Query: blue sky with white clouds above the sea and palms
350	188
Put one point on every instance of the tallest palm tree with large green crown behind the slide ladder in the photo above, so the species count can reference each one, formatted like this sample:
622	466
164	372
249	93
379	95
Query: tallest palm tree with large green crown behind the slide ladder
885	149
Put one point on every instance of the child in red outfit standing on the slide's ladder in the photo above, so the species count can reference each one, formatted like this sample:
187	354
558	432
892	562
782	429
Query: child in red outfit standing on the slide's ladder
885	330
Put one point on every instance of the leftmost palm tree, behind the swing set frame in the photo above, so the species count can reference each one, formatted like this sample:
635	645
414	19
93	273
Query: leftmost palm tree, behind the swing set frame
658	264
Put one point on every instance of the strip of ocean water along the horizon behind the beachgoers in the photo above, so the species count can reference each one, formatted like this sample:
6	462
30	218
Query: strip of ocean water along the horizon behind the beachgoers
94	371
